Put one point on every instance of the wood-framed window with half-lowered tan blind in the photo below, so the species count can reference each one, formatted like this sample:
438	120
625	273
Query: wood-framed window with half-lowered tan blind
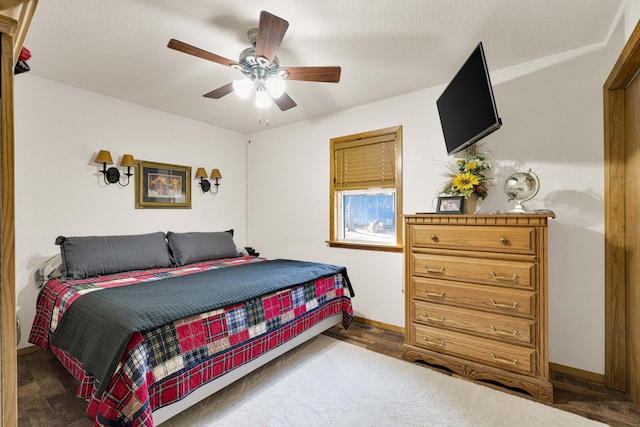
366	190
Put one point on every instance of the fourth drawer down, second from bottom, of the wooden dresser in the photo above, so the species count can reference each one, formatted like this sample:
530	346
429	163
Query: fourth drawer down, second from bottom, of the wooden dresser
515	330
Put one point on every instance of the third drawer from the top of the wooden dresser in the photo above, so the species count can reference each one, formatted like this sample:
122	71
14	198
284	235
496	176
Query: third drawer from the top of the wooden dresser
489	298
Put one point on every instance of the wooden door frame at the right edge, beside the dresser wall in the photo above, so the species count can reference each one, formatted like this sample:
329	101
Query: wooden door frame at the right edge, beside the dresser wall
622	73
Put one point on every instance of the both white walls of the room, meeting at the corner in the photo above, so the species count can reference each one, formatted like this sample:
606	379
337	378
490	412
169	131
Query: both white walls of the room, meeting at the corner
552	113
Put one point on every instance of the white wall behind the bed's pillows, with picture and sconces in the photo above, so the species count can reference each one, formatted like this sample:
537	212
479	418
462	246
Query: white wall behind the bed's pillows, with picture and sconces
59	191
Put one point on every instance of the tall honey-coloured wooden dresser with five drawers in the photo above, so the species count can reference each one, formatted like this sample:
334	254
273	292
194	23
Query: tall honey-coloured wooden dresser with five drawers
476	297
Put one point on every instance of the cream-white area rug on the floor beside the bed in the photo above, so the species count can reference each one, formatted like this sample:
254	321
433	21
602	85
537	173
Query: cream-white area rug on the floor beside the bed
327	382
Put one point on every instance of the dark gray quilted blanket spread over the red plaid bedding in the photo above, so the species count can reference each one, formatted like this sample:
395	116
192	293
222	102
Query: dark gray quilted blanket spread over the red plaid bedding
96	328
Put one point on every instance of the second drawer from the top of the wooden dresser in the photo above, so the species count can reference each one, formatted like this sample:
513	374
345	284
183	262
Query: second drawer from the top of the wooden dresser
519	274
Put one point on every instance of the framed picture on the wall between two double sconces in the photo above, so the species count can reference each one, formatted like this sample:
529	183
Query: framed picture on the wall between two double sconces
161	185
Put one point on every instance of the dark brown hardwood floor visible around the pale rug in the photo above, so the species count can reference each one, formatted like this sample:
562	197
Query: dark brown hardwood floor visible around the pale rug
46	391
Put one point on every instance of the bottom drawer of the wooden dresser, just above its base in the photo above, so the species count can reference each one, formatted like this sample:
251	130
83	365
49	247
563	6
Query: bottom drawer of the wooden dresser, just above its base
498	354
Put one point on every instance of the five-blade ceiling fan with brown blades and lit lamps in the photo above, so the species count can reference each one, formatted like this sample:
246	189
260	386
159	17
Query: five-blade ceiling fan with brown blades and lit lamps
261	66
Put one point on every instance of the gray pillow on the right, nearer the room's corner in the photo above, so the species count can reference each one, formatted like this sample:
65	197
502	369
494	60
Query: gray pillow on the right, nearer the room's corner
188	248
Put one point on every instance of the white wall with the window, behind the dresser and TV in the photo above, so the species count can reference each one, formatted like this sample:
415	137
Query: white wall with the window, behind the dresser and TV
552	115
